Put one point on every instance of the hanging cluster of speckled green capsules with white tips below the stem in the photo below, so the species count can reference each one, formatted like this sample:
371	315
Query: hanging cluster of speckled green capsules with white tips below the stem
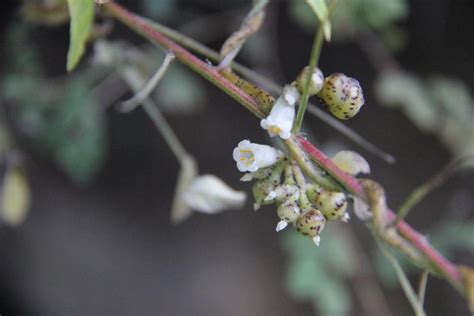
306	206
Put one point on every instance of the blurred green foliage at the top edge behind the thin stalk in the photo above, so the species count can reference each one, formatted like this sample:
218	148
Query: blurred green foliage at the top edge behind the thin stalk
352	17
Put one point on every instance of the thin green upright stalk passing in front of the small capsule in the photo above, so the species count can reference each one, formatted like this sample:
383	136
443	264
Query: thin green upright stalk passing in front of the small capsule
313	63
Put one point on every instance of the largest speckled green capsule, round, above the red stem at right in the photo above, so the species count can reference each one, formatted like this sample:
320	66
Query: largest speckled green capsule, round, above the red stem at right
342	96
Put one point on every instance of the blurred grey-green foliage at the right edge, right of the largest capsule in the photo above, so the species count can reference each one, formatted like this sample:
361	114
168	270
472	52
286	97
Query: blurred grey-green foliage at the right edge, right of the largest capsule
441	105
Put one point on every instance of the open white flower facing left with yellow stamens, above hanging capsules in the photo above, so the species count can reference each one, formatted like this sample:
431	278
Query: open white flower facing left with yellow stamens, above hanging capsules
251	157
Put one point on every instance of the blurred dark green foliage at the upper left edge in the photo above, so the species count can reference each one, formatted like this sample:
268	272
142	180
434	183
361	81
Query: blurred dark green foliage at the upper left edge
61	118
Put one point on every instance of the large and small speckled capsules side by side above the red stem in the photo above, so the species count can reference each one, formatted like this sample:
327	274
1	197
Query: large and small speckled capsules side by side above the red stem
341	95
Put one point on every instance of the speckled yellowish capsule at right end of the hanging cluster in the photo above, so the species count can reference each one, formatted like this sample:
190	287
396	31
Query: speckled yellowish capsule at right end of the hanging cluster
332	204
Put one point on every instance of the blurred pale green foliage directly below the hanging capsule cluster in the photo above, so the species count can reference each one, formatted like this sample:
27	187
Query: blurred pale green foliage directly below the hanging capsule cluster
319	274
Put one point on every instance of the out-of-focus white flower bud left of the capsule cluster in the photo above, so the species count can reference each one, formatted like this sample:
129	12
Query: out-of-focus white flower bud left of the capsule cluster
209	194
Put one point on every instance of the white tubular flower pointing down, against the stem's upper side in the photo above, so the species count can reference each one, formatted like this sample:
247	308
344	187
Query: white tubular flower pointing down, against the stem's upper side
280	120
